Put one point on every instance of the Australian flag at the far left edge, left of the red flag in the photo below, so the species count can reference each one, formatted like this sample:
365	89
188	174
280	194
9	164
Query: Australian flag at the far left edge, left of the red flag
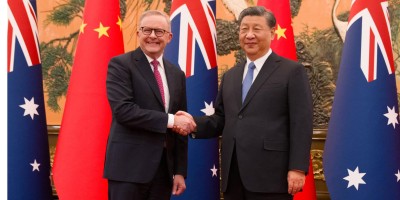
28	165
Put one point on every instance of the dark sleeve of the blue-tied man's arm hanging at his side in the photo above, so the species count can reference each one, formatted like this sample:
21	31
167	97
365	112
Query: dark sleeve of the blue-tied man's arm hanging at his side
301	119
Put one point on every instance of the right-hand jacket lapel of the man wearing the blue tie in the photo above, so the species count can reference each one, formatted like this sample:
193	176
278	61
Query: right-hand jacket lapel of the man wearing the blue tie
268	68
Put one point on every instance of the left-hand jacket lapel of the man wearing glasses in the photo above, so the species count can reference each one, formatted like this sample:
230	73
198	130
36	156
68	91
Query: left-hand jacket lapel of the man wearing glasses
143	66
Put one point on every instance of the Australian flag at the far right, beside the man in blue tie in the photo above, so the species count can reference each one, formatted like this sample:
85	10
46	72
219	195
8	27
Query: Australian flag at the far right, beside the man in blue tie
361	158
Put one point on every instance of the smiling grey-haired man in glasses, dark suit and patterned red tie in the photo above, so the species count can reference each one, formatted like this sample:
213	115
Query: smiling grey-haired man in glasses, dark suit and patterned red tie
145	160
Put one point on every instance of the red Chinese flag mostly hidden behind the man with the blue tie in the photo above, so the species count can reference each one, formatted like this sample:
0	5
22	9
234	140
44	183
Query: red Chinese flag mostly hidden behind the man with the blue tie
283	44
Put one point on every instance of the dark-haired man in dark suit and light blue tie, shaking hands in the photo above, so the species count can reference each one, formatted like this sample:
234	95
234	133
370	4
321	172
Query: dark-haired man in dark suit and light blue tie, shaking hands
264	113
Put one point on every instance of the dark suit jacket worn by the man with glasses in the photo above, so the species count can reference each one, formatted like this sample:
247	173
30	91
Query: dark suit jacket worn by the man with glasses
139	122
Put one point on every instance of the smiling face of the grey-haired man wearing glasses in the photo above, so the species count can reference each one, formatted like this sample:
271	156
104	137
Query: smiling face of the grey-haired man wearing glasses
152	45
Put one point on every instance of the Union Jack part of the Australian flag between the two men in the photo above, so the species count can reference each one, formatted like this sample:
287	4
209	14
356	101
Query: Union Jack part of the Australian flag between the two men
197	25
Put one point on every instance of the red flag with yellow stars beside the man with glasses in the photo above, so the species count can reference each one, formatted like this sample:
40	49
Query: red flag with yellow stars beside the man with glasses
80	153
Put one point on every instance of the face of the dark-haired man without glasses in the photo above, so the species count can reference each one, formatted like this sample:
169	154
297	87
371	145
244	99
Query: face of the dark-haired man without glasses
255	36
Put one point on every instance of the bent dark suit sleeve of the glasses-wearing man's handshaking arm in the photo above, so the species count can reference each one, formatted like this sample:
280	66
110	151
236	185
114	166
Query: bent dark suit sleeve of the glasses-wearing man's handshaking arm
120	96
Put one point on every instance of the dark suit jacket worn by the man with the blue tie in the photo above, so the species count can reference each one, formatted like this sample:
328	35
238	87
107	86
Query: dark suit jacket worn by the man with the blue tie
271	130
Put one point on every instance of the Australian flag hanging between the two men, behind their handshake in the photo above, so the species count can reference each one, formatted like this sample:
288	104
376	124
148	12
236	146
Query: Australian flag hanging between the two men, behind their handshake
193	48
